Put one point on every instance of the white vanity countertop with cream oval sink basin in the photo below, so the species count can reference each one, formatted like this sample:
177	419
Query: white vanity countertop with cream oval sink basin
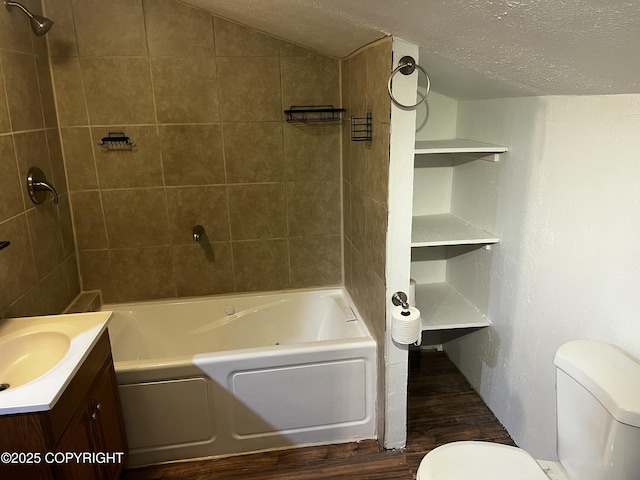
40	355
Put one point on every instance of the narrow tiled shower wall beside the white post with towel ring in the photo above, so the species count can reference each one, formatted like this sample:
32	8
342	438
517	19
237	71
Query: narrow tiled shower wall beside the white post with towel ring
365	183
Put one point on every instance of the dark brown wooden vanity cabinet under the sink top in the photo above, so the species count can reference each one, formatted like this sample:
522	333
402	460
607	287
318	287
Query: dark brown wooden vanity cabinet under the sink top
87	418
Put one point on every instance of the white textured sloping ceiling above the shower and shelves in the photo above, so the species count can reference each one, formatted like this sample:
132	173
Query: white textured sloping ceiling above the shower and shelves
472	48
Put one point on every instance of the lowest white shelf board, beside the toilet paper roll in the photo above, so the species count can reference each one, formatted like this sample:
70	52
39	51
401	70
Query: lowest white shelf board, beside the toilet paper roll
443	308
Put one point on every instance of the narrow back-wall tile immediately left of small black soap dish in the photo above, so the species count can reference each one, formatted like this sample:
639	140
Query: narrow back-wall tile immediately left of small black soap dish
78	151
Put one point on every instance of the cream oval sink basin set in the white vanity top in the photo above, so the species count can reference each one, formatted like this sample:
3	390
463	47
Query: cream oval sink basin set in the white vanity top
27	356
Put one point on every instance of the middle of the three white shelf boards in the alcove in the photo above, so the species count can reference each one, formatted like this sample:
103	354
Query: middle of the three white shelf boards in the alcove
446	229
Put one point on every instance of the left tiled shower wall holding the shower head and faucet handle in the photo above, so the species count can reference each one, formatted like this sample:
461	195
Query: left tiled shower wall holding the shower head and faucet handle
38	273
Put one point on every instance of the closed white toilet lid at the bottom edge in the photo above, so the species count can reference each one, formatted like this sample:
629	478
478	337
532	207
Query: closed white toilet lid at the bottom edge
479	461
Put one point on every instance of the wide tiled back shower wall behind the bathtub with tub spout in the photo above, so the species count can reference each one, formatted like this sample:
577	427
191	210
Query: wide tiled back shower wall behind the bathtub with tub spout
203	100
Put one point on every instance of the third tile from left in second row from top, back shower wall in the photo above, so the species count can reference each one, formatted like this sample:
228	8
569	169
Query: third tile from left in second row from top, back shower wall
186	90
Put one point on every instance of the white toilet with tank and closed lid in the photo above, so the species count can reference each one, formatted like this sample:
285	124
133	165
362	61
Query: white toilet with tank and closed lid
598	404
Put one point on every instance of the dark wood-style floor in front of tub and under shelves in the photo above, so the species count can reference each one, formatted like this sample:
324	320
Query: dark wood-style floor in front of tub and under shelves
442	407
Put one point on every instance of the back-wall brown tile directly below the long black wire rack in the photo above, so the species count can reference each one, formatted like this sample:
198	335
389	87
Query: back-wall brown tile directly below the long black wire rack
312	153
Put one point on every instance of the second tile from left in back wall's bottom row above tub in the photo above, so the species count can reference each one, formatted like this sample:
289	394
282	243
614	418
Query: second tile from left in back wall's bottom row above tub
142	273
